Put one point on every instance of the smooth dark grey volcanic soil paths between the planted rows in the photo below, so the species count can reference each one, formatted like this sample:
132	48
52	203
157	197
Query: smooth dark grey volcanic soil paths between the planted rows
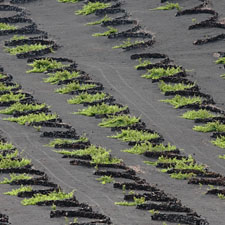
114	69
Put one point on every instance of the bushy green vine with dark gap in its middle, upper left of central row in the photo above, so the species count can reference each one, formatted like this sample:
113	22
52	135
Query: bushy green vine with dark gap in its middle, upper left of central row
43	65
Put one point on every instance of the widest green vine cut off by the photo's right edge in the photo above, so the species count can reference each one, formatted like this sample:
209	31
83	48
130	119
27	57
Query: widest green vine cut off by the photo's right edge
211	127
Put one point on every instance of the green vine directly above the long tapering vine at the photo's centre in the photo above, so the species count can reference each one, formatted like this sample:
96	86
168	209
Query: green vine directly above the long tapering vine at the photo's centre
86	97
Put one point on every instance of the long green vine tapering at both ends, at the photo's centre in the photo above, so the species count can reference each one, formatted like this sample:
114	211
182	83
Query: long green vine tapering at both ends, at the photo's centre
101	109
